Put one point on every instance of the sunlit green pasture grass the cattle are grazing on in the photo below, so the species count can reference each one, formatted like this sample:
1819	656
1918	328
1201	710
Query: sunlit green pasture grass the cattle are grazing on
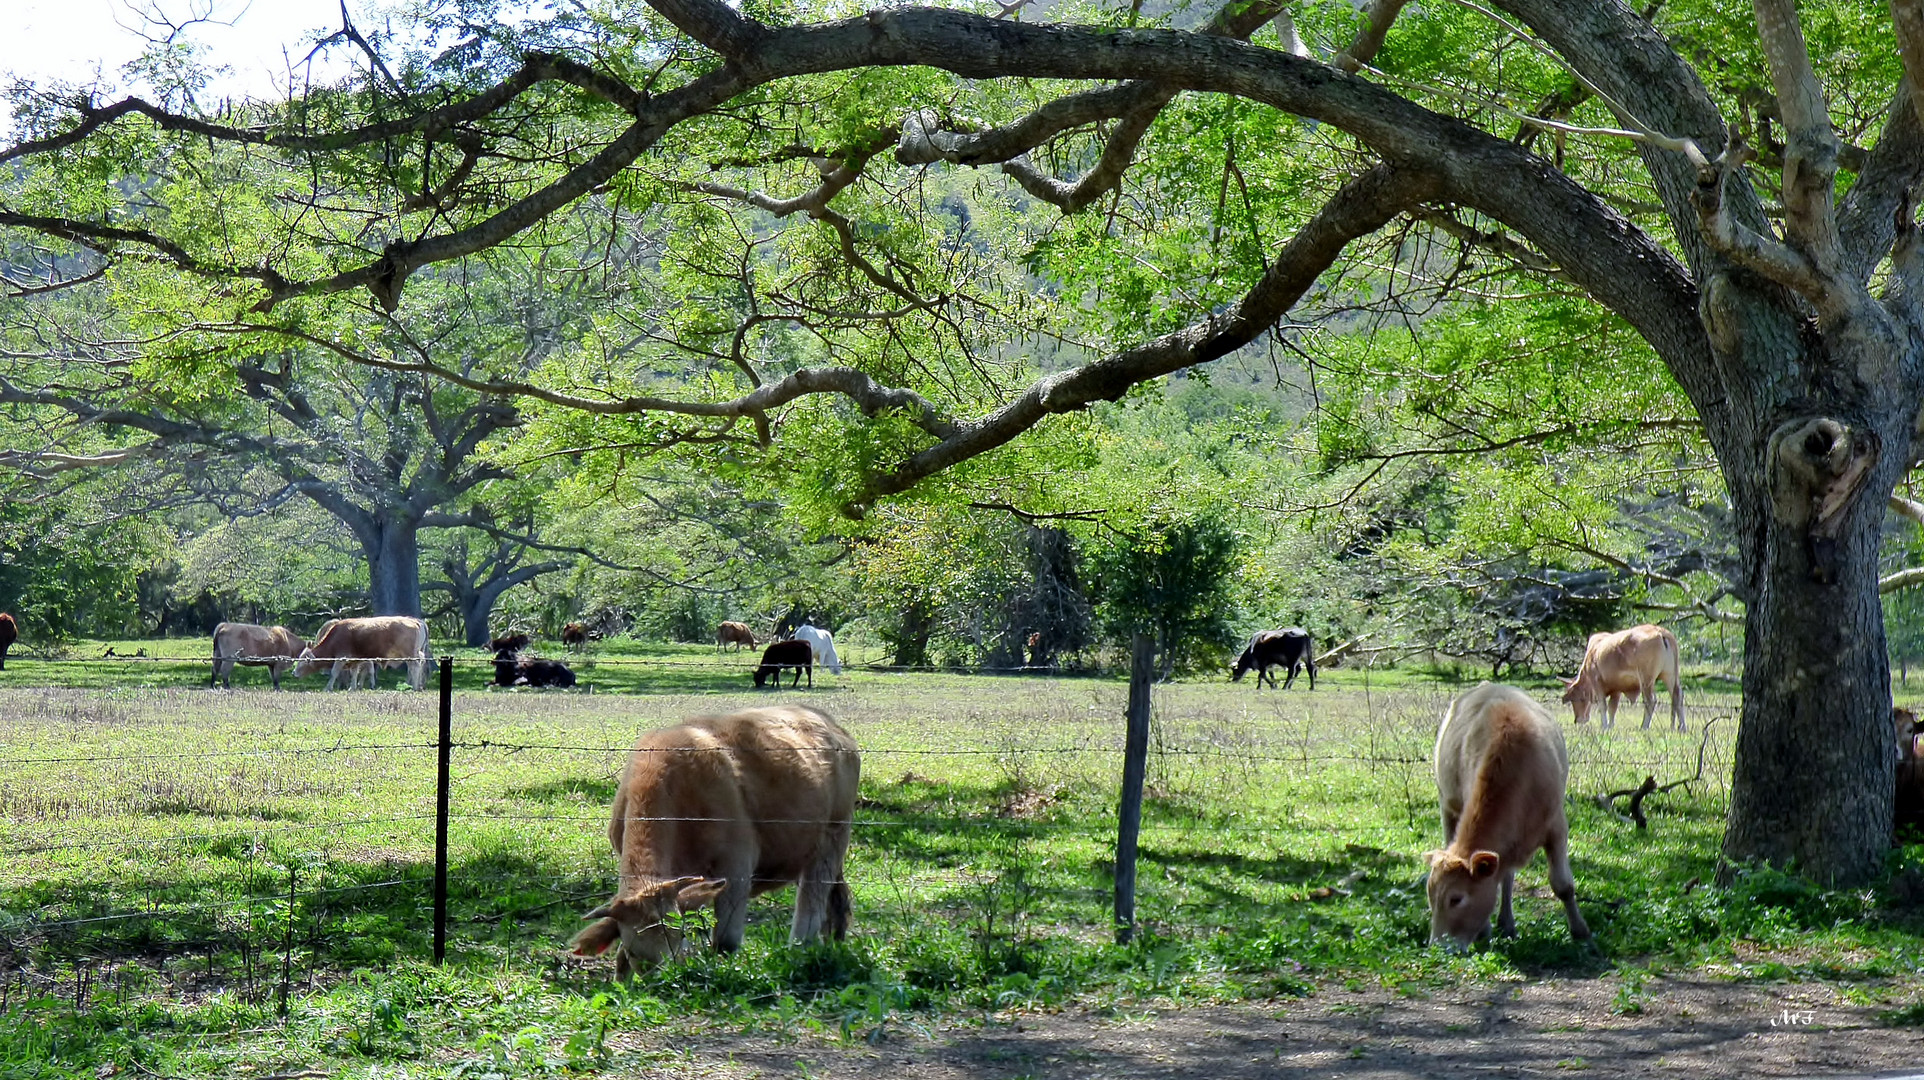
201	879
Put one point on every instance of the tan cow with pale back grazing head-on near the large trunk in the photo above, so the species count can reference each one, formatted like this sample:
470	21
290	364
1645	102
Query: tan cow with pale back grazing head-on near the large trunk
1502	773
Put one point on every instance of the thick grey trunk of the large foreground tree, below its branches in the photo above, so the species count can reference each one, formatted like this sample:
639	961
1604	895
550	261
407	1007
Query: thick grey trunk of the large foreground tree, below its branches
1813	779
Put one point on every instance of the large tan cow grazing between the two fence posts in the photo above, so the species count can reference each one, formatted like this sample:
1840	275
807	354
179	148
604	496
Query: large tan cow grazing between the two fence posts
722	810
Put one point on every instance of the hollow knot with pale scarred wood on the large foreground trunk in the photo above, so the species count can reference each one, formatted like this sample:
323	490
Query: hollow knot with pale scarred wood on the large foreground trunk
1817	471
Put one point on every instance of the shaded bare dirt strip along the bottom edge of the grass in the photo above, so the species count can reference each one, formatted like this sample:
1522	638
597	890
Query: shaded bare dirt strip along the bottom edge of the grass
1692	1029
